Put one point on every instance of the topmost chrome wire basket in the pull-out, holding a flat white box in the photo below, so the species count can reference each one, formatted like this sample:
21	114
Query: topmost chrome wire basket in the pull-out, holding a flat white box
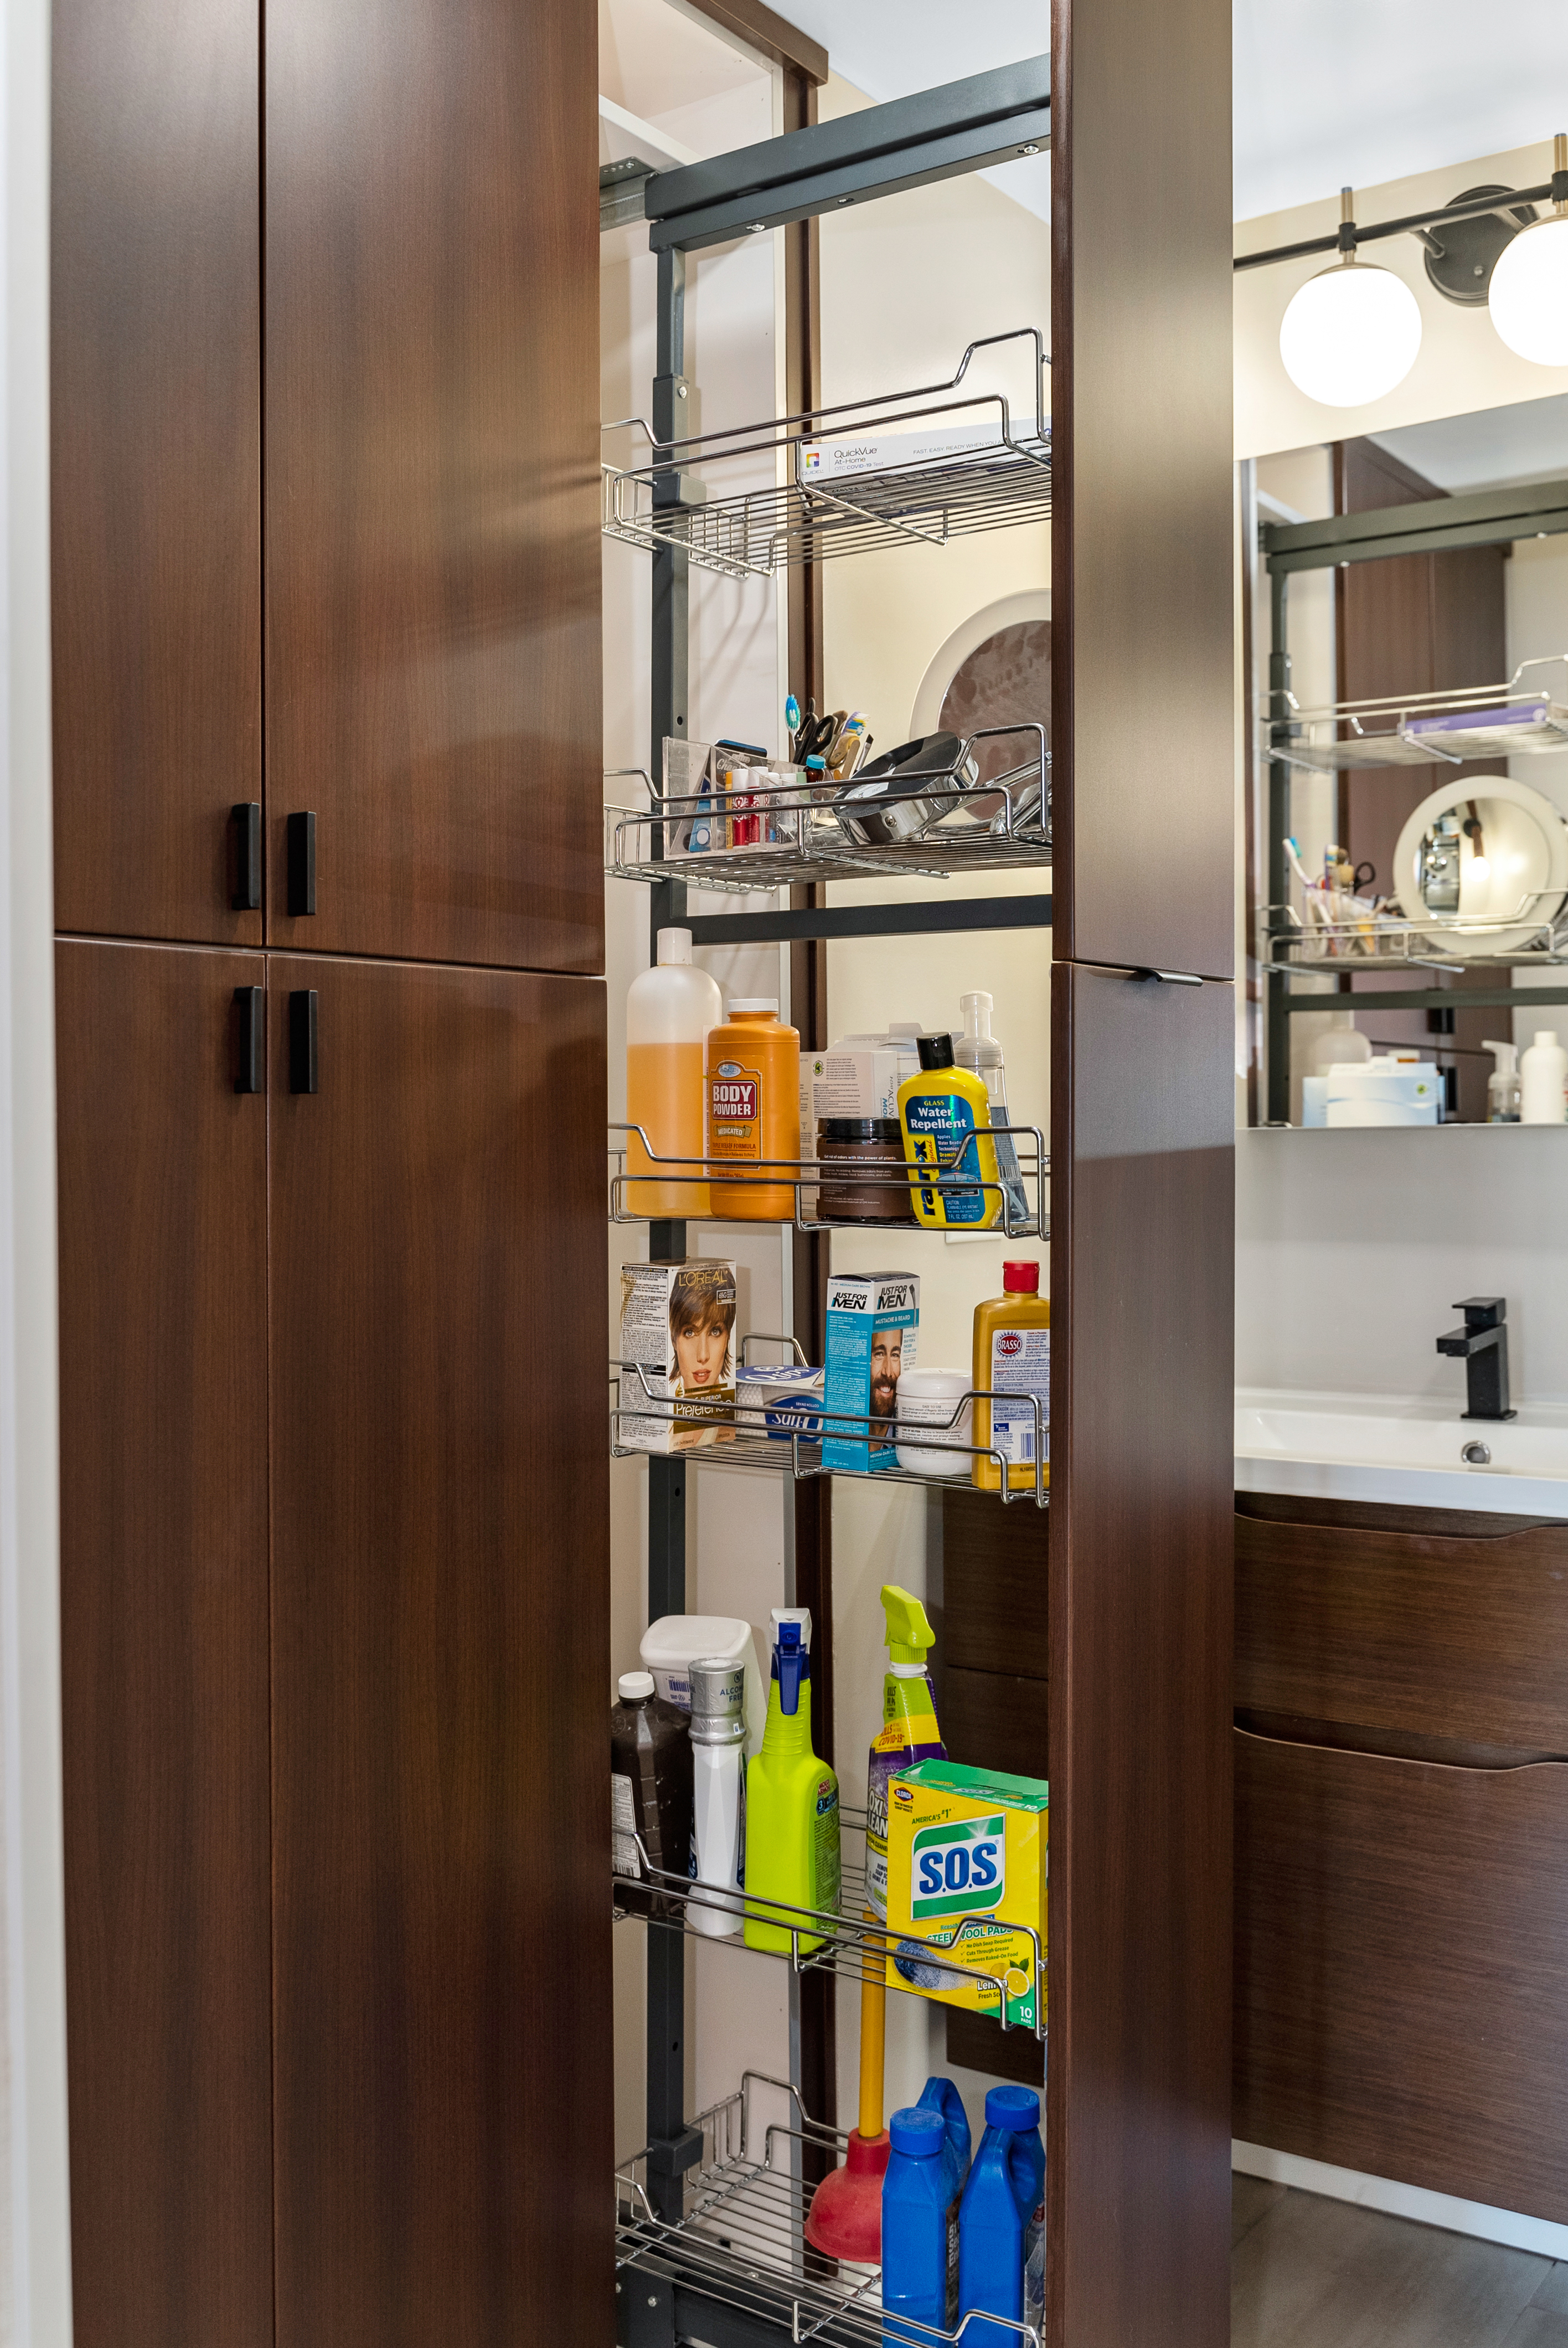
903	471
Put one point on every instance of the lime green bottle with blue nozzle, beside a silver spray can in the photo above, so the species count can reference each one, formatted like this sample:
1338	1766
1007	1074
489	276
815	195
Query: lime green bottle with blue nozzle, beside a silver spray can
792	1802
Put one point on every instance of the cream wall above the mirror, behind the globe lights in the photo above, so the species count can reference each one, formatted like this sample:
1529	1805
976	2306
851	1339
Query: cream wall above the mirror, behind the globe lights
1464	365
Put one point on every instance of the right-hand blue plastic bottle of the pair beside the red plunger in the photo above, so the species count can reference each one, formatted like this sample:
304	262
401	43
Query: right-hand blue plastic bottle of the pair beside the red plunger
1001	2225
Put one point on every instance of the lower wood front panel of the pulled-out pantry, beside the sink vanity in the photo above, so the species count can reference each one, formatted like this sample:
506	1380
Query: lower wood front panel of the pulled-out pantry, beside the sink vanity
1142	1567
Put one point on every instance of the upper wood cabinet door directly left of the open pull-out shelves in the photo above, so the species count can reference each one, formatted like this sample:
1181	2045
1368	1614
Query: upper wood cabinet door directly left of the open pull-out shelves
433	478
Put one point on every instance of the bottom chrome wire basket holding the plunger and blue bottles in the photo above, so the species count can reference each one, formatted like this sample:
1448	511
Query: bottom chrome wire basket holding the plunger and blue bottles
738	2241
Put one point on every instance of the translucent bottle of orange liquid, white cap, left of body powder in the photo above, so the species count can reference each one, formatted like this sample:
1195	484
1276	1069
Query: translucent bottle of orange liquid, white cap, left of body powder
670	1013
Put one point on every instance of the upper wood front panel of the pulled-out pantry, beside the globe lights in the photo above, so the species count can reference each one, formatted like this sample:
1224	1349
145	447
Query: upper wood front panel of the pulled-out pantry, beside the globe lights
1142	487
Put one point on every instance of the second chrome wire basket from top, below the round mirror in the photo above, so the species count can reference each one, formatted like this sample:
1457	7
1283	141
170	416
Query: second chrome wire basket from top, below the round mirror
813	832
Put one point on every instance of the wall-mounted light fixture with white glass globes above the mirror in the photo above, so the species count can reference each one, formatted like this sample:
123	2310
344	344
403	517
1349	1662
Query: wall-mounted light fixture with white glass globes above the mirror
1353	332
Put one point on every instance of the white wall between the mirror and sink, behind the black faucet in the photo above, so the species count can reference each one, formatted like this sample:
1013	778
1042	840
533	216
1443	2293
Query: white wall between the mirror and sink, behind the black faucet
1356	1246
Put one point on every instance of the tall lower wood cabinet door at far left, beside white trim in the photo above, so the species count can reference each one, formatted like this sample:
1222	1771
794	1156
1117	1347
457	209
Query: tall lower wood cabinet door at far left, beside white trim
163	1206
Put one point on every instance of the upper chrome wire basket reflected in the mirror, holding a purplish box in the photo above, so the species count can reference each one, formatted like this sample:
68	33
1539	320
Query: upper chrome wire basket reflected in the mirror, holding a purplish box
1428	729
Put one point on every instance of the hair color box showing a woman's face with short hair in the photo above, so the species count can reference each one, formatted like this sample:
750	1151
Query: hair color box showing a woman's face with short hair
677	1344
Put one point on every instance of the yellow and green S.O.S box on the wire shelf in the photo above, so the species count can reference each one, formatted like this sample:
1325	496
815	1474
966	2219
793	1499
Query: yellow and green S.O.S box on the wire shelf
968	1882
